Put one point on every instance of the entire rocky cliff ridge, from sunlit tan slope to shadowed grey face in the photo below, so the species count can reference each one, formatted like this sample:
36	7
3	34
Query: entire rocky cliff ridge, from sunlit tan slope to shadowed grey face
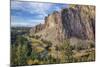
73	22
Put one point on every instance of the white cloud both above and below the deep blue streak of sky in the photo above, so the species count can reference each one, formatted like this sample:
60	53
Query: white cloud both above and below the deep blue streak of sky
31	7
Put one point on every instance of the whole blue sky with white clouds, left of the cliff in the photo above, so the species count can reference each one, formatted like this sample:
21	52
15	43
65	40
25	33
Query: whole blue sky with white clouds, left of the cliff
32	13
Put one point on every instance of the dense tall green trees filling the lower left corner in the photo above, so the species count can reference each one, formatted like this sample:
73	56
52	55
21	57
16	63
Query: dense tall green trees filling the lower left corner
19	51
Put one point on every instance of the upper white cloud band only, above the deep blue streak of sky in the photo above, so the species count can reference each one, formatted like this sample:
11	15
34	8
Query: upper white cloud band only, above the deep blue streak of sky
31	7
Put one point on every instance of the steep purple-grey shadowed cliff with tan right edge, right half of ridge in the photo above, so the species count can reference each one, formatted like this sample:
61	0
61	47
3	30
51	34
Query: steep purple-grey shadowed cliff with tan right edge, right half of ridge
79	22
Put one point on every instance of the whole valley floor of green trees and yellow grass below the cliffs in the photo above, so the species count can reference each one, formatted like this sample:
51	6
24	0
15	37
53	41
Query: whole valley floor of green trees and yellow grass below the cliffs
32	50
